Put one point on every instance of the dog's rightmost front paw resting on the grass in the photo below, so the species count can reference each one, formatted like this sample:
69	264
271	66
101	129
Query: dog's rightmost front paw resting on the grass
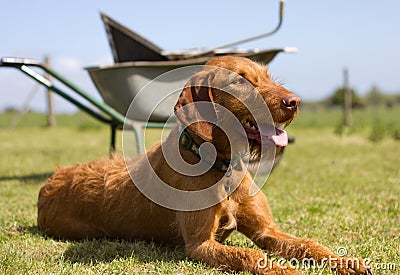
347	266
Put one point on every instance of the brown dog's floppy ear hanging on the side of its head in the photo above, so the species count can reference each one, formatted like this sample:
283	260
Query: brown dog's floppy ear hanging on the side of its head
195	106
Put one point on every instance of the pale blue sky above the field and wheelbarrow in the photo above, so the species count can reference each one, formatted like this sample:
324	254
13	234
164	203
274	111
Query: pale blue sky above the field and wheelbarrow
363	36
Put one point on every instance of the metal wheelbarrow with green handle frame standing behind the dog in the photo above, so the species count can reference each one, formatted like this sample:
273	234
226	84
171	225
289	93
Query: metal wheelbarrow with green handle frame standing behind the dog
120	83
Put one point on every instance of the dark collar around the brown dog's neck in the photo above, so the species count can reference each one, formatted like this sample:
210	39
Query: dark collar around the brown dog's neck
189	144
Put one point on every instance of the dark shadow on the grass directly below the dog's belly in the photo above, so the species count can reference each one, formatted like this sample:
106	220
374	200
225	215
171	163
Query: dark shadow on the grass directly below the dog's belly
105	251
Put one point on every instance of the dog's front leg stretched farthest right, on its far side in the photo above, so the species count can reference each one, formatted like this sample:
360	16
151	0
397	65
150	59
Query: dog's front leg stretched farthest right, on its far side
255	221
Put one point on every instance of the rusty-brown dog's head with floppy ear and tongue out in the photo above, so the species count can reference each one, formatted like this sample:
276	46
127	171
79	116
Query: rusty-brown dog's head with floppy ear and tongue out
244	88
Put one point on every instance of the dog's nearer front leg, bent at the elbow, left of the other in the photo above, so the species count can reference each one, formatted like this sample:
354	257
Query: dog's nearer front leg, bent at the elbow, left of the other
199	228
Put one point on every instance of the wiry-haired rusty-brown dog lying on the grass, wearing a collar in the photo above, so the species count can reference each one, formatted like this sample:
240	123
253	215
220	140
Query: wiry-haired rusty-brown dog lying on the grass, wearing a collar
99	199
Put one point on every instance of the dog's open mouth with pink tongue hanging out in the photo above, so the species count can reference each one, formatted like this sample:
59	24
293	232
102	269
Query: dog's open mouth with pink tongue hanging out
263	134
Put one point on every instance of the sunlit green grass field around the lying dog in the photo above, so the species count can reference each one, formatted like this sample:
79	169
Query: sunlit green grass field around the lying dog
342	190
